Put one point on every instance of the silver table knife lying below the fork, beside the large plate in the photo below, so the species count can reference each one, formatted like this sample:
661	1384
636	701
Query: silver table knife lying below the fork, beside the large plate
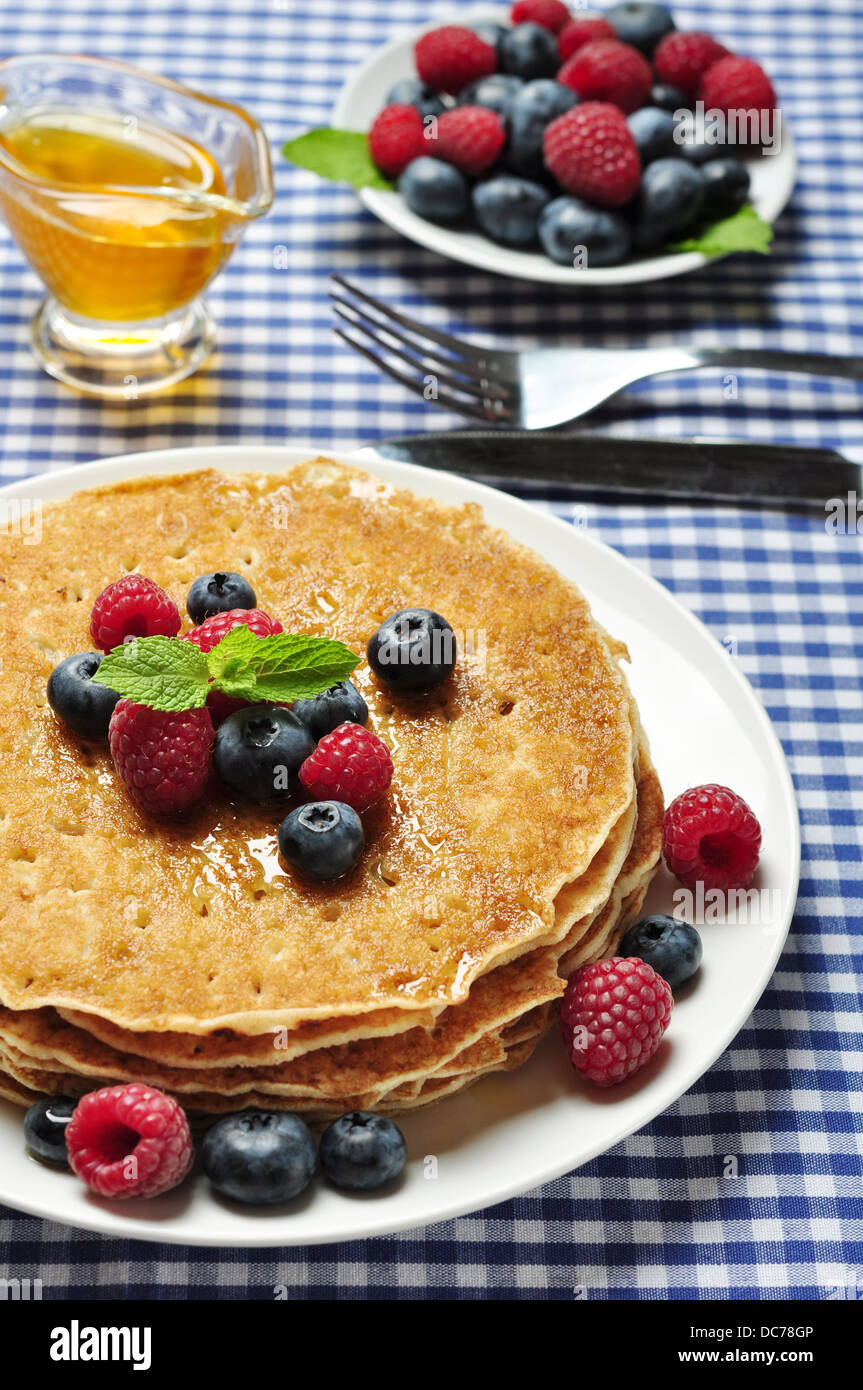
697	469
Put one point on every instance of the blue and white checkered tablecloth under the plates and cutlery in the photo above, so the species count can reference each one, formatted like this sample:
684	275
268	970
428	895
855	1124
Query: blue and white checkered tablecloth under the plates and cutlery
654	1218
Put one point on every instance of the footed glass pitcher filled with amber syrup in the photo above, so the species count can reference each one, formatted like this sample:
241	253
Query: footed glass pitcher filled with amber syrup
127	194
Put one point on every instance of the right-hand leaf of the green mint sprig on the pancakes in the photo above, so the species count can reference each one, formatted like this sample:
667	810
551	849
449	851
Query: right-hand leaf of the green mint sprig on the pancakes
286	667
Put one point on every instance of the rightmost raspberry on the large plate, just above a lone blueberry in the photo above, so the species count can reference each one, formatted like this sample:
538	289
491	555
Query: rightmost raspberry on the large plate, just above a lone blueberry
711	836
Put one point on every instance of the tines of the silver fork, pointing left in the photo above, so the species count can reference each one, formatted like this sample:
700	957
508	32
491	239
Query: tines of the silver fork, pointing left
444	370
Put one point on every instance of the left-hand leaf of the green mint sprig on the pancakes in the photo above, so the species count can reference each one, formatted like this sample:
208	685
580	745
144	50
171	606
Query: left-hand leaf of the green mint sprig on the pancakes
161	672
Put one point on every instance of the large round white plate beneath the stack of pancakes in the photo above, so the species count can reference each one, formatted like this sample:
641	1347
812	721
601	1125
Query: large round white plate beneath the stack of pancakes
515	1132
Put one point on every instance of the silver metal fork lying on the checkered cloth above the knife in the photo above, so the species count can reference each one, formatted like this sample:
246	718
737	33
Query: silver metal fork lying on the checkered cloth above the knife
540	387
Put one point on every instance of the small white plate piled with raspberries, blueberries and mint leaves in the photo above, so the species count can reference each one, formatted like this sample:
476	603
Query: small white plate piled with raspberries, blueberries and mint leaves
572	149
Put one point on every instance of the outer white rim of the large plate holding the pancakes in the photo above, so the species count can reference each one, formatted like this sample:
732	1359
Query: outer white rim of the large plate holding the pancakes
269	1229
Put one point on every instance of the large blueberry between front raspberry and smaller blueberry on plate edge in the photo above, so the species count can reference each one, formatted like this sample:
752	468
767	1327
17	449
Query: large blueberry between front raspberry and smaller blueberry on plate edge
259	1157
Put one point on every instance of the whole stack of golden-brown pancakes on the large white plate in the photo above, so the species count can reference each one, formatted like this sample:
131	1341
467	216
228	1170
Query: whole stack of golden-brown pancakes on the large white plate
518	842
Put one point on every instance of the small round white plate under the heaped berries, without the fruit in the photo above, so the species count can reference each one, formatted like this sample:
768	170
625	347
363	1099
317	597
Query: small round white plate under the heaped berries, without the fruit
365	94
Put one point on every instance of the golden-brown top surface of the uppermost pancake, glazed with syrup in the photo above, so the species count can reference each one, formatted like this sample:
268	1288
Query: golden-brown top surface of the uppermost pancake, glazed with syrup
488	818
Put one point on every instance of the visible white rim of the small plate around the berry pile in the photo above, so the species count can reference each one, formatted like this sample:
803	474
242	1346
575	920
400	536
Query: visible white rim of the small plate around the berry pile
486	255
